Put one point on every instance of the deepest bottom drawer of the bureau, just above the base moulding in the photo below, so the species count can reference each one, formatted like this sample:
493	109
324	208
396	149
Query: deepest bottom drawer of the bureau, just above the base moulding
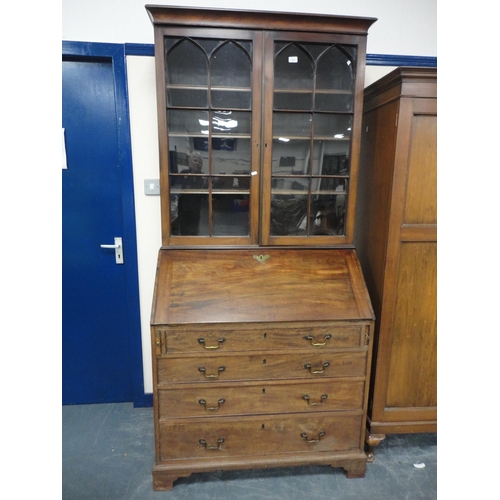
227	437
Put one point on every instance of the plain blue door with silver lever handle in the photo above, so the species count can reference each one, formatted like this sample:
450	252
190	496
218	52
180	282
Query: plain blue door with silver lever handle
102	359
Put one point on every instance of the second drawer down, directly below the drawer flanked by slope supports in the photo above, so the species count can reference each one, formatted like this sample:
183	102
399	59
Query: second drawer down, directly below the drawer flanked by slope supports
262	366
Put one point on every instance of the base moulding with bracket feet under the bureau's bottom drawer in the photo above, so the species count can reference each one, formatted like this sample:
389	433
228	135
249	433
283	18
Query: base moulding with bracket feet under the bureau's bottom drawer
164	474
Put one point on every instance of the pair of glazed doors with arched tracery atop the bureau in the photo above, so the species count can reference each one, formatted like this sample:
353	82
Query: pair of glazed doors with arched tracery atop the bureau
259	135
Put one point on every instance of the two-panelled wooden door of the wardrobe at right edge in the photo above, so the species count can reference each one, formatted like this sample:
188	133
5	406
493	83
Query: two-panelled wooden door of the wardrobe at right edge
406	377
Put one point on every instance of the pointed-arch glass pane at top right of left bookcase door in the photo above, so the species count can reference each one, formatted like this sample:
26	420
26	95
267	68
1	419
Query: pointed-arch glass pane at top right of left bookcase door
230	66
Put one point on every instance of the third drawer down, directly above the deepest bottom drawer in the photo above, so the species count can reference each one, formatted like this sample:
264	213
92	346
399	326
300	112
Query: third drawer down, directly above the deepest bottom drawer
204	400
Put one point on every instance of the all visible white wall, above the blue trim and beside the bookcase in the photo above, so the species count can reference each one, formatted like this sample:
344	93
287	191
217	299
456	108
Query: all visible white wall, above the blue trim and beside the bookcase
403	28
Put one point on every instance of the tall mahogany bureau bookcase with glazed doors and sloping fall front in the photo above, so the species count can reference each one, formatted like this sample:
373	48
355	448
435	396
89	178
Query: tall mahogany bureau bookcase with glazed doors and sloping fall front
262	327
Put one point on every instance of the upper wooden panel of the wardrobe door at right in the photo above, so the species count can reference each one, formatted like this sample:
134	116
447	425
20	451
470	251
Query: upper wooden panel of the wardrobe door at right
421	196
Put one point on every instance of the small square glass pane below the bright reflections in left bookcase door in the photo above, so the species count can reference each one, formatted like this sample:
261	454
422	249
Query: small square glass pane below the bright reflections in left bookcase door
231	156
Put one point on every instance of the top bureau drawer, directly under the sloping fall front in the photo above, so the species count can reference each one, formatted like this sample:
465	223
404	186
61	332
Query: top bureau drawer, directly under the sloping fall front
207	341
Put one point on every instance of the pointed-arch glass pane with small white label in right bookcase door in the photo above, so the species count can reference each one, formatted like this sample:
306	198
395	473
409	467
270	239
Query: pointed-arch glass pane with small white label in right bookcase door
293	69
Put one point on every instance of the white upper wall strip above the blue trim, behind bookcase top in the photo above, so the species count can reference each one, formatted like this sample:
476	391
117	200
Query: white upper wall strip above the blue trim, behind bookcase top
404	27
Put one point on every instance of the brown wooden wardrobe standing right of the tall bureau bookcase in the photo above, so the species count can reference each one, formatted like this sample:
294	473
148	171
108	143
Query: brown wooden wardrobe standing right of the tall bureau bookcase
396	239
